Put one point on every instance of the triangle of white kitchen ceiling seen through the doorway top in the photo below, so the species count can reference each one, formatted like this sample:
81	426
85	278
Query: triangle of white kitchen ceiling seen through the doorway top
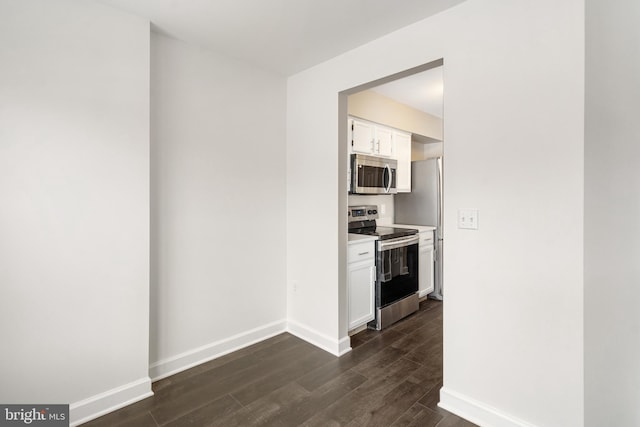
422	91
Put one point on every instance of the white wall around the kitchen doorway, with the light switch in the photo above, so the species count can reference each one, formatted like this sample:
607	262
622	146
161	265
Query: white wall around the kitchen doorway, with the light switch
513	289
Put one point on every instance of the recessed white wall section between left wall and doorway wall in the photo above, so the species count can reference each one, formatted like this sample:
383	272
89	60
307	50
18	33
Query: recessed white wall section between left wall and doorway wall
218	205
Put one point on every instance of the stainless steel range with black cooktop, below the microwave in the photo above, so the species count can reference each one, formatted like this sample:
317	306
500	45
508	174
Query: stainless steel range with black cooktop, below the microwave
396	266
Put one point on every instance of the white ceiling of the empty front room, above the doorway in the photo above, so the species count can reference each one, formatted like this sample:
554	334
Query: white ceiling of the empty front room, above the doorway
285	36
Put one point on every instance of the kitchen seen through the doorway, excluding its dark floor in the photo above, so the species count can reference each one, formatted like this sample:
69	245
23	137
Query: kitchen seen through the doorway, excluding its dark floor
394	177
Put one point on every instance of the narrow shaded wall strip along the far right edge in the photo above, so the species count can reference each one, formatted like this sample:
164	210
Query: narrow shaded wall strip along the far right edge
612	186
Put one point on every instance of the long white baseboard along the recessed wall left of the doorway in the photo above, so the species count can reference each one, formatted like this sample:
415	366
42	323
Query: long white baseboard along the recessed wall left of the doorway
197	356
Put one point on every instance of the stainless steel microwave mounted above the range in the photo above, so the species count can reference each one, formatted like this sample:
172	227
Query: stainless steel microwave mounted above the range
373	175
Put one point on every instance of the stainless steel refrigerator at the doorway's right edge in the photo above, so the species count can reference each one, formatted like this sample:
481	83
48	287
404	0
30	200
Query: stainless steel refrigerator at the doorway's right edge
423	206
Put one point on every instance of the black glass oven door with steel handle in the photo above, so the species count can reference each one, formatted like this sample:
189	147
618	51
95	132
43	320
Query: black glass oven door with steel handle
397	269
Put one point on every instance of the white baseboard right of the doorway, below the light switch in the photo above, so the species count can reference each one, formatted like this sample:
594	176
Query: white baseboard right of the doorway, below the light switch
477	412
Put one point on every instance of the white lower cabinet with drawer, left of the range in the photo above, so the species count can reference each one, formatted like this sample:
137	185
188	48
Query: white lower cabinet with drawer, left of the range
361	283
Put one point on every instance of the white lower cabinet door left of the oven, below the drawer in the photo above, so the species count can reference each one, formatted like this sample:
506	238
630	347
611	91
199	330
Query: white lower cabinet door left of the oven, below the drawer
361	293
